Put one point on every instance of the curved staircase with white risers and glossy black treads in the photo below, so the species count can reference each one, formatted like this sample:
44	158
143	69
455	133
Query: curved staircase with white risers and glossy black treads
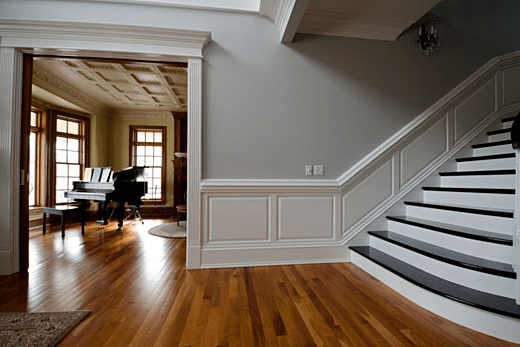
452	253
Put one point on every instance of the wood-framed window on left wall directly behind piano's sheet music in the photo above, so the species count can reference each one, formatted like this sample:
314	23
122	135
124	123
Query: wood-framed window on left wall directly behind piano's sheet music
70	152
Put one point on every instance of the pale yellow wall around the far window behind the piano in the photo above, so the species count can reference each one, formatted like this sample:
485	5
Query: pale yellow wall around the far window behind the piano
118	144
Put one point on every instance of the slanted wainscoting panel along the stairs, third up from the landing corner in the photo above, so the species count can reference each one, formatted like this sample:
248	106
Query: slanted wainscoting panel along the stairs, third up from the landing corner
475	108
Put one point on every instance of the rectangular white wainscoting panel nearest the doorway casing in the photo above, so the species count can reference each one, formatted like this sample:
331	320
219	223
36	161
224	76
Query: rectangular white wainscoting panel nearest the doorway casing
238	219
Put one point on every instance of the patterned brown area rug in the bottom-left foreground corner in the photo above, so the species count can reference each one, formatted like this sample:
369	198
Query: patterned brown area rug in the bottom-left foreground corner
42	329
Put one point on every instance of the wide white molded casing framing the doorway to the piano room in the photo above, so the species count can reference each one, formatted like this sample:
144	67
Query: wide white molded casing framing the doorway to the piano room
71	39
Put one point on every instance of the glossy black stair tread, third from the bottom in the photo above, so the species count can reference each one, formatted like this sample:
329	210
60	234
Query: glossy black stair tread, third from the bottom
455	230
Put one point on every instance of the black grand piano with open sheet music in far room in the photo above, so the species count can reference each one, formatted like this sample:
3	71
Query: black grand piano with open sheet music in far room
106	186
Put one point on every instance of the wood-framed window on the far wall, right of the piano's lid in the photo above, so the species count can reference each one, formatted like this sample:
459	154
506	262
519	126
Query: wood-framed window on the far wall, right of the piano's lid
148	148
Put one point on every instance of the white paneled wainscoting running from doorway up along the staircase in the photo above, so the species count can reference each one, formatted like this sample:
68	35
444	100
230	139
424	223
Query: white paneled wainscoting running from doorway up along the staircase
325	215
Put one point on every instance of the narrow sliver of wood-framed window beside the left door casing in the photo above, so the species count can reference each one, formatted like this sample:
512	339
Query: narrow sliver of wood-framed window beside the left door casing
35	140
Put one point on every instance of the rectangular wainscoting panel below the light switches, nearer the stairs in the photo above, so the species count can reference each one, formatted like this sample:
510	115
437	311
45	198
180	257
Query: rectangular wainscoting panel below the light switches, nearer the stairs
306	218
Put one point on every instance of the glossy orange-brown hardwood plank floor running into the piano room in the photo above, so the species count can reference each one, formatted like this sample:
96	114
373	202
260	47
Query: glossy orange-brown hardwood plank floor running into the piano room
140	294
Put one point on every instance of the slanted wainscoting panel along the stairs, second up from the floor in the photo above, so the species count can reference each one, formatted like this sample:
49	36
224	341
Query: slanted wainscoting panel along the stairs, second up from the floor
423	150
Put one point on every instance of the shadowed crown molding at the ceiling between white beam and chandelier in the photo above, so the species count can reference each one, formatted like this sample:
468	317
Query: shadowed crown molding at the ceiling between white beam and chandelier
351	25
